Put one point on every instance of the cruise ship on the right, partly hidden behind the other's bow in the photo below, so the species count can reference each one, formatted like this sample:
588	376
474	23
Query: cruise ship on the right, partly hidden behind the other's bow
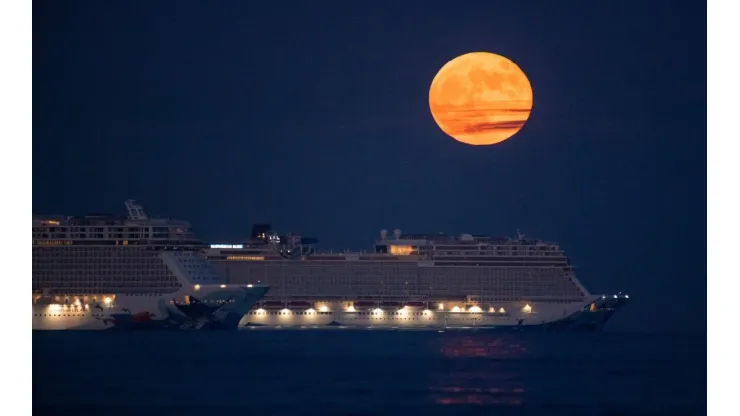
433	281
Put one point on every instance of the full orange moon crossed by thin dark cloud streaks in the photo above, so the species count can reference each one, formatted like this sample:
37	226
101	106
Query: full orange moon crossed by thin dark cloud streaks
480	98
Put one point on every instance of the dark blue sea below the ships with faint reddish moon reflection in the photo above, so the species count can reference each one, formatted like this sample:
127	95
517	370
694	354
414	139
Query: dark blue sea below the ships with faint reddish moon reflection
363	372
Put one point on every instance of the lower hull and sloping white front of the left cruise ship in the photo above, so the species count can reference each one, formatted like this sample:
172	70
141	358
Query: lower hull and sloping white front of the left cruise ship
199	302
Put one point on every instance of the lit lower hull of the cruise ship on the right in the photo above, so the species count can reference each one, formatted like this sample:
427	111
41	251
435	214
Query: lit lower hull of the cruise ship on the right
572	316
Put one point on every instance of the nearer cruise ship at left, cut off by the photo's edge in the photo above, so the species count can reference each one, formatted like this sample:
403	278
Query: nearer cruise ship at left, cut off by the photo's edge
109	272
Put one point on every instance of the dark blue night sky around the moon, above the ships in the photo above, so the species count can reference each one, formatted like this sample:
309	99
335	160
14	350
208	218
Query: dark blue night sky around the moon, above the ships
315	116
